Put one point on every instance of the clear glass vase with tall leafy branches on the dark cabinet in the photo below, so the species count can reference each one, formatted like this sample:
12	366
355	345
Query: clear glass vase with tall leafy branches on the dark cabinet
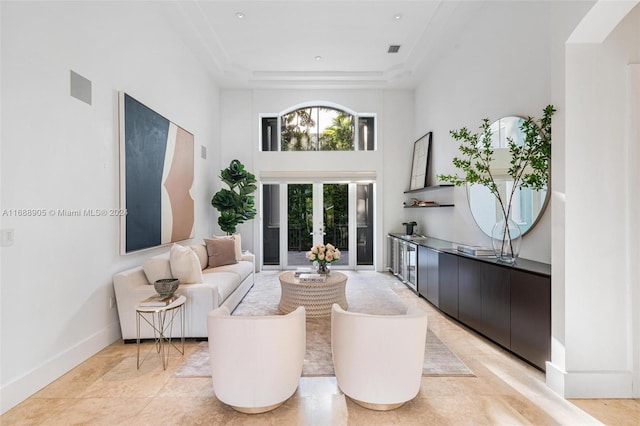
529	168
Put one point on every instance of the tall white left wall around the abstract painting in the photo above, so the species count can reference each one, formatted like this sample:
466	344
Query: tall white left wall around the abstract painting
60	153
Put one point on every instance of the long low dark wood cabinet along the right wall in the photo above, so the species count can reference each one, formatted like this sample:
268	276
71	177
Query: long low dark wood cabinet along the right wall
509	304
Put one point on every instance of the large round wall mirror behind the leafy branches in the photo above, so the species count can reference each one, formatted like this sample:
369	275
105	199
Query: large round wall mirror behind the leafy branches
527	205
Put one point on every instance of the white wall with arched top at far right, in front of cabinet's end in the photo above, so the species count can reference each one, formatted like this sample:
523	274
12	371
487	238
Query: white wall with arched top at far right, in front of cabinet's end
596	333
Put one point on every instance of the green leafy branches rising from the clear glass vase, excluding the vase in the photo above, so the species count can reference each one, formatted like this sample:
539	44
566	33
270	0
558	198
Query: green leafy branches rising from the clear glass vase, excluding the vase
529	167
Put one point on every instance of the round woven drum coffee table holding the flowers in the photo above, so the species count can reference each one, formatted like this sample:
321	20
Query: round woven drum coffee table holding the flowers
317	298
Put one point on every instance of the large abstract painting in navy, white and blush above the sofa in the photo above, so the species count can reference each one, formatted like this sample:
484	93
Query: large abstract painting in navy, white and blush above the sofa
156	178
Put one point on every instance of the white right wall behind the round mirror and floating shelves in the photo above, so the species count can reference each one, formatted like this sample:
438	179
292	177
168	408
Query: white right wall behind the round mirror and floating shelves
502	63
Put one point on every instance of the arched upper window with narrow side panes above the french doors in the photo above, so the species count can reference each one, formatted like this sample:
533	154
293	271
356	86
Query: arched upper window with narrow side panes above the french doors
318	127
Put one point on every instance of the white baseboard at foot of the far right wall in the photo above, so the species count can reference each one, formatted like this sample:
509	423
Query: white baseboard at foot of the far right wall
589	384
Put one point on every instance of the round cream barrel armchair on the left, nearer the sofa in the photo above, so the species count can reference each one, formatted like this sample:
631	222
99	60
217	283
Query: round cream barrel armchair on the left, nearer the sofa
256	361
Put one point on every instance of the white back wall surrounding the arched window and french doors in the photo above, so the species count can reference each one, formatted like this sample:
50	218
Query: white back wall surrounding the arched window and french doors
391	161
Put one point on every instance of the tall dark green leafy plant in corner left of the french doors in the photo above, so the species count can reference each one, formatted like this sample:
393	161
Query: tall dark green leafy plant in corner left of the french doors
236	204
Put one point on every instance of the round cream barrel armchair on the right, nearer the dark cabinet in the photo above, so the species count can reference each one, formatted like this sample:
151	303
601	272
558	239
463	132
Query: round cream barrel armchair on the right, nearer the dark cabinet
378	359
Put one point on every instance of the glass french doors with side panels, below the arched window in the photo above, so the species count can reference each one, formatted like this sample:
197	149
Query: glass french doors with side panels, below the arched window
298	215
